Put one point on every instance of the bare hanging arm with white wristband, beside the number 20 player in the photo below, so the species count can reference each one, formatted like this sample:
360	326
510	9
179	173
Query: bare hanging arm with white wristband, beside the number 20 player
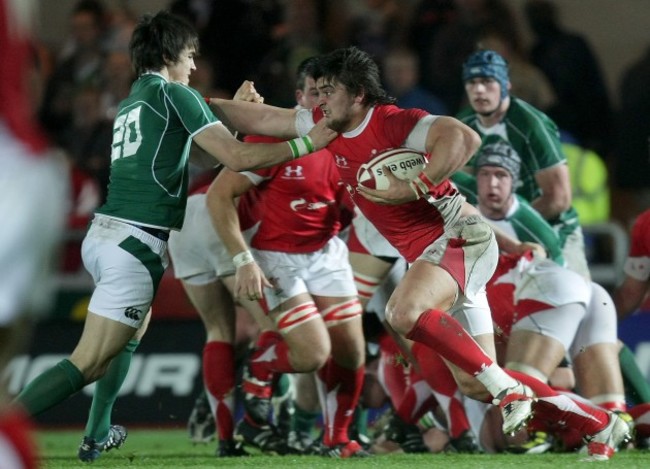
221	200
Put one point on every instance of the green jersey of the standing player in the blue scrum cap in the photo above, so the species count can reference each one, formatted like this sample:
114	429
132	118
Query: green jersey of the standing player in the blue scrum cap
536	138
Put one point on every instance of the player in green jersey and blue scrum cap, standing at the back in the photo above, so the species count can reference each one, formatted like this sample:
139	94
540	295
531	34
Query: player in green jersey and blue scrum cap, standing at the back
544	180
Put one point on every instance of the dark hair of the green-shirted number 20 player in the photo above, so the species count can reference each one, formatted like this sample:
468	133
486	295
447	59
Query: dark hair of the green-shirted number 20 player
159	39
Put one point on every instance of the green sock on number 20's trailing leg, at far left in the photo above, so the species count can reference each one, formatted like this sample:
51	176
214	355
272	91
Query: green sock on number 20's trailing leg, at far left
51	387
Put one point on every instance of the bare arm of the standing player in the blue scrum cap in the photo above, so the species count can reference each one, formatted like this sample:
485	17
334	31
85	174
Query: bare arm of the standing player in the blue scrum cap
556	191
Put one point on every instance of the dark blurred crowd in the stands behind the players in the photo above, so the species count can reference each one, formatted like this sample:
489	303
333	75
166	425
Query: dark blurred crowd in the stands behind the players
420	45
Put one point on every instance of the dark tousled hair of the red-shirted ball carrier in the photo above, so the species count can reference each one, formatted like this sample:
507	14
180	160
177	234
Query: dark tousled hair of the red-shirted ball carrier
355	70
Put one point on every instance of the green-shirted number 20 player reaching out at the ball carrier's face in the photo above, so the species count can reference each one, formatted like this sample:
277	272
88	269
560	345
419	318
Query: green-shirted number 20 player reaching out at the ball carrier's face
125	249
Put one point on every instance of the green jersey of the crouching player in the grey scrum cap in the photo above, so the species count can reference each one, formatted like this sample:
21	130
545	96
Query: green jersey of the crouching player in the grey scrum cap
522	221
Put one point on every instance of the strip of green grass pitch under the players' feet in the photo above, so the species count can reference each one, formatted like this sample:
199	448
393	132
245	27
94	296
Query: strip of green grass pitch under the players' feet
171	449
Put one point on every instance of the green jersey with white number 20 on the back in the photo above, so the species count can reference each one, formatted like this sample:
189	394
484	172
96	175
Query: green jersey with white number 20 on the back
152	135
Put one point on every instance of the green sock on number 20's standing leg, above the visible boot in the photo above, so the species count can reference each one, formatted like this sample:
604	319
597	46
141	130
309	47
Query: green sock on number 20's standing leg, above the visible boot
106	390
